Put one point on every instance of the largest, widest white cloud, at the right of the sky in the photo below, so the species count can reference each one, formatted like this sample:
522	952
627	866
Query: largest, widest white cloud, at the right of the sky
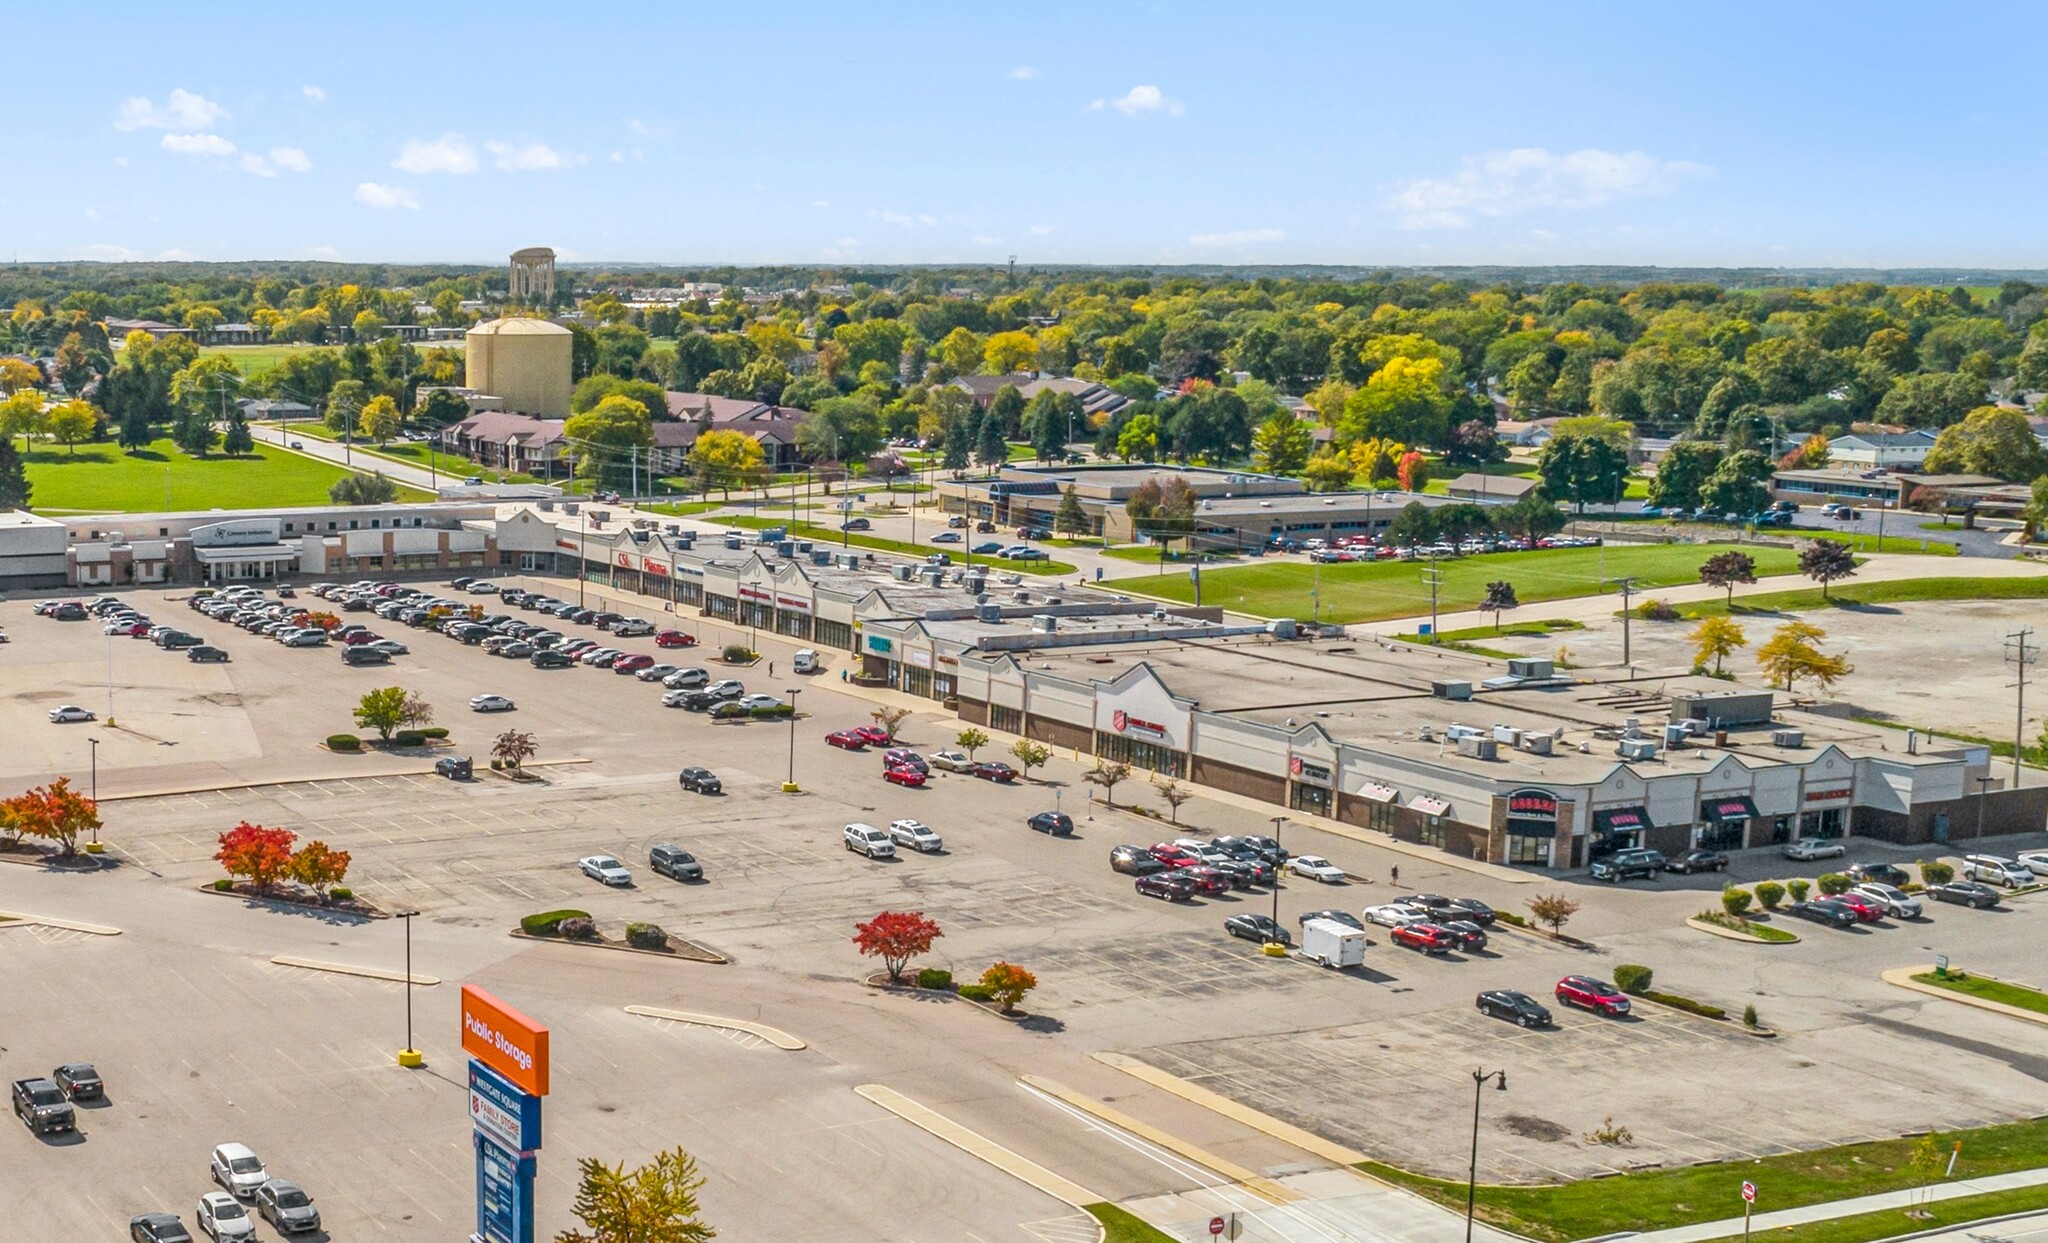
1535	179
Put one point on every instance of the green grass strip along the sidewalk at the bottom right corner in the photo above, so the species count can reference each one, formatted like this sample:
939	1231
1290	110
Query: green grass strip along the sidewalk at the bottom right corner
1656	1199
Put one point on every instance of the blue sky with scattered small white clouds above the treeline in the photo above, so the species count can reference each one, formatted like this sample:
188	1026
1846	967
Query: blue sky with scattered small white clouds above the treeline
1371	134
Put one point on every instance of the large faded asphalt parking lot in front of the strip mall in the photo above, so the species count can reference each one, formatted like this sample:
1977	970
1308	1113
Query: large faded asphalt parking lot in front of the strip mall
1375	1058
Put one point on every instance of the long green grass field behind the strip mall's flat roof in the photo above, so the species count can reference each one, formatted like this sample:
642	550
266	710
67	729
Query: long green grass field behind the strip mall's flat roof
1361	593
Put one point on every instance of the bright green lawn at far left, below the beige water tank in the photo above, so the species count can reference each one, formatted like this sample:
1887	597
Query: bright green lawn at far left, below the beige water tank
103	480
